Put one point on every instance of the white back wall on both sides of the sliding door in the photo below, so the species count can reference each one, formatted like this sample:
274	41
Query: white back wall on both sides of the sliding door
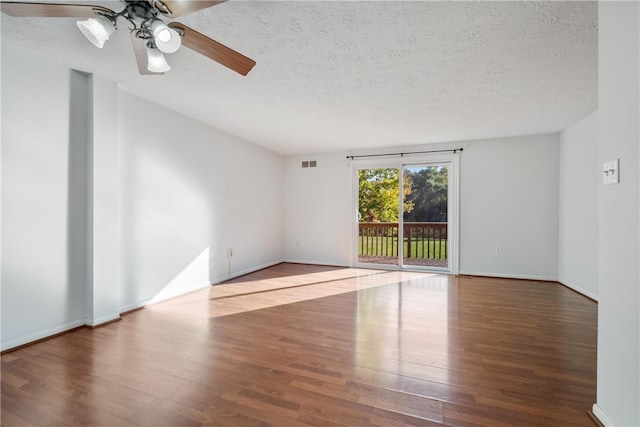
508	198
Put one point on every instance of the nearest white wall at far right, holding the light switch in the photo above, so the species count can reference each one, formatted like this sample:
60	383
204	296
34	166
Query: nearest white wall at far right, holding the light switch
619	215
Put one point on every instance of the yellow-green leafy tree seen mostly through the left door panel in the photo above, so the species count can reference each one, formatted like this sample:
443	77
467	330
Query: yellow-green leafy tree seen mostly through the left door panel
378	192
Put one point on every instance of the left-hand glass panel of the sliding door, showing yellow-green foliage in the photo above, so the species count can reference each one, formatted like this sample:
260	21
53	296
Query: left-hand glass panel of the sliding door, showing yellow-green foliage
378	212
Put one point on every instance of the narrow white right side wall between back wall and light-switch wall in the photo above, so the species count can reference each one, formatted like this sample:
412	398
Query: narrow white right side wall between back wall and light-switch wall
578	209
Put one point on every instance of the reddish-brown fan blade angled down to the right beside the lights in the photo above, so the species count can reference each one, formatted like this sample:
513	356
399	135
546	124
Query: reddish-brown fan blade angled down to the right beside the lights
214	50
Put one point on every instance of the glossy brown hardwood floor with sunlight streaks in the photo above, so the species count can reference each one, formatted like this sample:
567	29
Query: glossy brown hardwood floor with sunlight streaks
297	345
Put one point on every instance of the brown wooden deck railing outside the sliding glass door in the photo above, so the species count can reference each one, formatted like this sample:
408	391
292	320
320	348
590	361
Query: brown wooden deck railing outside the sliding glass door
422	240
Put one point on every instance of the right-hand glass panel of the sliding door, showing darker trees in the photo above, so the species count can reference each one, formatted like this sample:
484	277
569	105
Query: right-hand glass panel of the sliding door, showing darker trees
425	216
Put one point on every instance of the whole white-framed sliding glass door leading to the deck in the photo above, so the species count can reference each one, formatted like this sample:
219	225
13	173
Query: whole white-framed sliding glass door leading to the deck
406	215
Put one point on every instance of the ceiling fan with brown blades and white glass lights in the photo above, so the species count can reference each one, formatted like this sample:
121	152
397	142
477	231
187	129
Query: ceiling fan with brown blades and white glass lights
151	36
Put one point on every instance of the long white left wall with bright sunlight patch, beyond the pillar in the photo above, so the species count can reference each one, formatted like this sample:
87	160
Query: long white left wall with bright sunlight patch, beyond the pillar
188	194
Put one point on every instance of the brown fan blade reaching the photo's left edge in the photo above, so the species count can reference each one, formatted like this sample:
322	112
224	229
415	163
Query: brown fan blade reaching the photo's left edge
51	10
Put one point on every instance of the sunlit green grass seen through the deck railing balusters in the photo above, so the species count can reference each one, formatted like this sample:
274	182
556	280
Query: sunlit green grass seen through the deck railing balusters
424	249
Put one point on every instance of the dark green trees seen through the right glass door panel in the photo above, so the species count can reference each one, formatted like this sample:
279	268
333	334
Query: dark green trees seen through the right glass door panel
429	195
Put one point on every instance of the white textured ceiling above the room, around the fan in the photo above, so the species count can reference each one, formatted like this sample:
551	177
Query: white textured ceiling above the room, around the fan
341	75
